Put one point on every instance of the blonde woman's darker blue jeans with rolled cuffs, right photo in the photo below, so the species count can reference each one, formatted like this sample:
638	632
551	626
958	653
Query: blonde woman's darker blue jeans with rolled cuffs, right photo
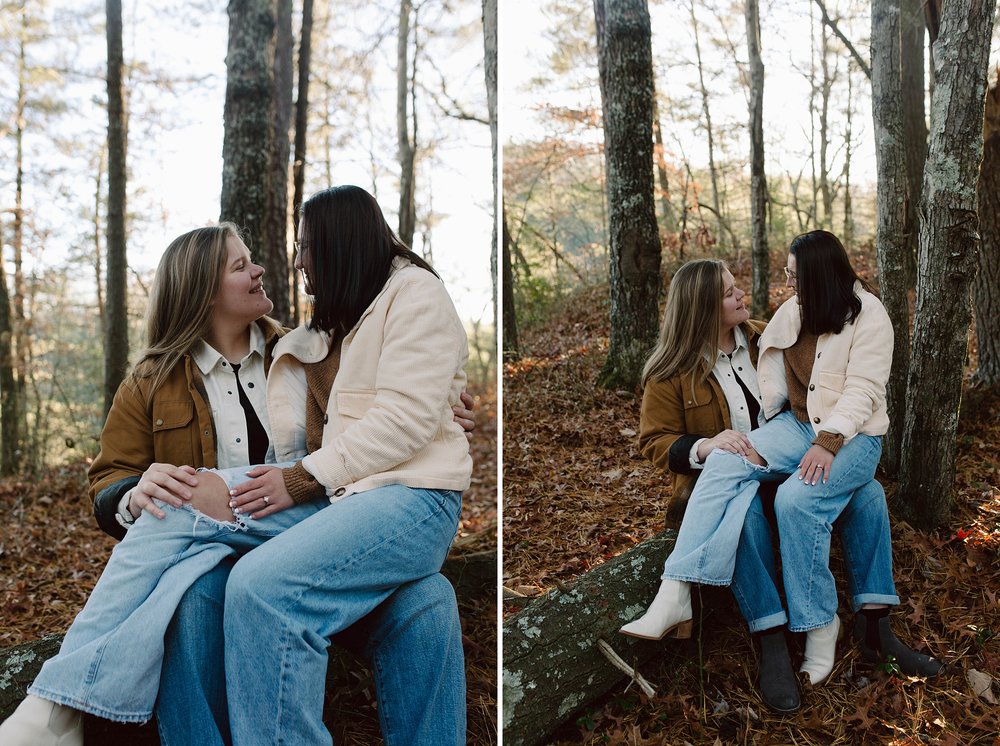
867	550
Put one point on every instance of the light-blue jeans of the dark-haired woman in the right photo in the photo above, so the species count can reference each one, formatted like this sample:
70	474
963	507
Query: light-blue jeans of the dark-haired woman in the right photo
705	551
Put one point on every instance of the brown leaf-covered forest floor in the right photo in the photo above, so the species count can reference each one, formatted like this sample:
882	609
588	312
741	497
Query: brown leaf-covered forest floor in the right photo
577	492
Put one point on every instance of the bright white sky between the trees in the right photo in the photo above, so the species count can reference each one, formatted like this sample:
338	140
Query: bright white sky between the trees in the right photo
785	52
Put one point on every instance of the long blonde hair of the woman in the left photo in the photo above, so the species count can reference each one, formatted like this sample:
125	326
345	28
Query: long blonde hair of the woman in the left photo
180	302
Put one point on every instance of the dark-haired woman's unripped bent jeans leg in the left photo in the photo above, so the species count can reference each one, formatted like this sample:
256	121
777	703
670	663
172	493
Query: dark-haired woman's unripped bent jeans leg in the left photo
285	600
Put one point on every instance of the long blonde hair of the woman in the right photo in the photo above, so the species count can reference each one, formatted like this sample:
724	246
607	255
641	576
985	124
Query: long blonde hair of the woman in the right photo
689	334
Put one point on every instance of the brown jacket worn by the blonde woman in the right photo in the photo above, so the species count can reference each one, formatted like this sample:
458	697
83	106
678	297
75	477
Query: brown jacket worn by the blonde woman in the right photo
678	412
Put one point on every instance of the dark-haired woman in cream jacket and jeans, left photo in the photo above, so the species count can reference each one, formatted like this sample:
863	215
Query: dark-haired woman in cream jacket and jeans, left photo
375	371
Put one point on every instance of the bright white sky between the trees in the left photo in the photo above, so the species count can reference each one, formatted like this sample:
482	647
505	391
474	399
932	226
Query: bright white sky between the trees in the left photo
176	172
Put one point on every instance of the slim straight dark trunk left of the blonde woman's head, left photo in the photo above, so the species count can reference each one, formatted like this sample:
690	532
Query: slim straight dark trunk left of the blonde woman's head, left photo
116	329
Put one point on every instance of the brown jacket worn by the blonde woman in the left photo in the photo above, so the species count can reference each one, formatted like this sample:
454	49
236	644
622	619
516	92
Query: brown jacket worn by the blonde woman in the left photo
172	426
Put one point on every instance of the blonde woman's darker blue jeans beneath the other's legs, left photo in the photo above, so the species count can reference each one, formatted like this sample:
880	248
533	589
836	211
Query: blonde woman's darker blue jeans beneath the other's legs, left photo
412	643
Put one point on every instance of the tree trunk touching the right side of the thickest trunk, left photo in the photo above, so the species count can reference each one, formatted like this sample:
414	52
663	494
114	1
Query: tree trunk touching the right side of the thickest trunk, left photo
275	247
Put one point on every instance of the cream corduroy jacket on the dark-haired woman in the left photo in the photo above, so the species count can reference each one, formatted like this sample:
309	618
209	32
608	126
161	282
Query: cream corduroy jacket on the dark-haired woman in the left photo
389	418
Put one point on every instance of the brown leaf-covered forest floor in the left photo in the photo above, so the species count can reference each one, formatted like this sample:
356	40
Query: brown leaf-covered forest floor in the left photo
52	553
